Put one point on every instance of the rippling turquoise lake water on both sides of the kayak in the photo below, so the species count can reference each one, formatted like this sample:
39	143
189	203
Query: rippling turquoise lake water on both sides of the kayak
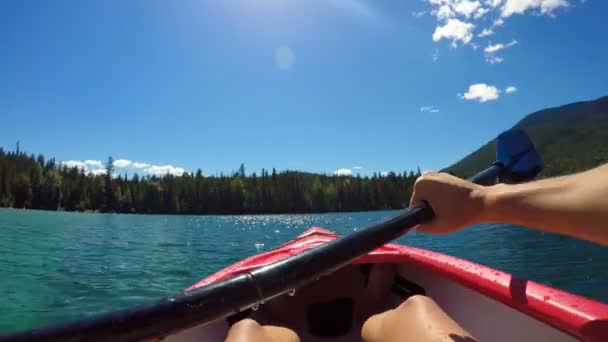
58	266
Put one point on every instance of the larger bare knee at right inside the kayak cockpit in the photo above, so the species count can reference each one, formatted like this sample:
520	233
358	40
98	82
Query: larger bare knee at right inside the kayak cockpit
419	318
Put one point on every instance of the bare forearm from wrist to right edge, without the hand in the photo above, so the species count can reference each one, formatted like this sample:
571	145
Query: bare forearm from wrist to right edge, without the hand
575	205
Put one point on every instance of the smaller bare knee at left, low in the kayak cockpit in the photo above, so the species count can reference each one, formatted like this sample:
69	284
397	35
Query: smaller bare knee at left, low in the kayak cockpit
248	330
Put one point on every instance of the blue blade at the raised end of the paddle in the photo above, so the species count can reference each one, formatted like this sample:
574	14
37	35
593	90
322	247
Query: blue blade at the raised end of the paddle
515	151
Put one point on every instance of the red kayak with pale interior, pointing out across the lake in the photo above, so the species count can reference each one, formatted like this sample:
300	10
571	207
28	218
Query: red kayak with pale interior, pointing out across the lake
492	305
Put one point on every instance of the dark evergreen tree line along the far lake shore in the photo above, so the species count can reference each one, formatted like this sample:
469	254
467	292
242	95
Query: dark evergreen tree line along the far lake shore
33	182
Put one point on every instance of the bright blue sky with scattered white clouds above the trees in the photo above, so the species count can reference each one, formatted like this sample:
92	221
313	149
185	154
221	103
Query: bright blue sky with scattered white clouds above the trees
315	85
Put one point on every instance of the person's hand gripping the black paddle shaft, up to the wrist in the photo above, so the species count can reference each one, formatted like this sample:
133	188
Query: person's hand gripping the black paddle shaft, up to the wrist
457	203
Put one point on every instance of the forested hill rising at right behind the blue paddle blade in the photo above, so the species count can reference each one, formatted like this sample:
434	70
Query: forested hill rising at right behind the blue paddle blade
569	138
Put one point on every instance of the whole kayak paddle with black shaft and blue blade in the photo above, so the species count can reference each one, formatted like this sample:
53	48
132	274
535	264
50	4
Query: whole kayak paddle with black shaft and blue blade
516	161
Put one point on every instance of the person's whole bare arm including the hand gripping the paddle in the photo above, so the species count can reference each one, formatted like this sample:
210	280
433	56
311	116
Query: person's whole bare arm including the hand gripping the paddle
575	205
